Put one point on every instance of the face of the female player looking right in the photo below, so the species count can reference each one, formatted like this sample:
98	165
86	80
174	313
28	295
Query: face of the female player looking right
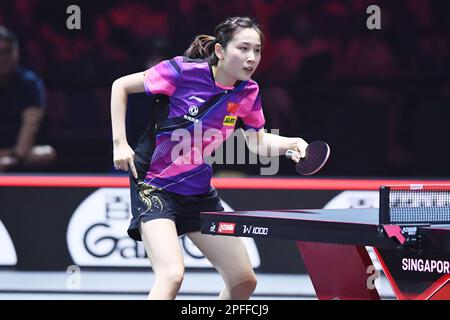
242	55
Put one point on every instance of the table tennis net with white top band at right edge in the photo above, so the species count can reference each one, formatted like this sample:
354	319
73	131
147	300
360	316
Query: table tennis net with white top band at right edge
415	204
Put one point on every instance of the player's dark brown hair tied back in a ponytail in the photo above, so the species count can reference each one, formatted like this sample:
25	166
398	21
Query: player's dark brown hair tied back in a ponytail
203	45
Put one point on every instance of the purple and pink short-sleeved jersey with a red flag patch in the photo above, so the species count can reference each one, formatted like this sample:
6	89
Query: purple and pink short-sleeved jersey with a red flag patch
201	115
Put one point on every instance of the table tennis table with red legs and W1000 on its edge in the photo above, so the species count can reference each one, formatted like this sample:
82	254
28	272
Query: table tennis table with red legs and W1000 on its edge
332	243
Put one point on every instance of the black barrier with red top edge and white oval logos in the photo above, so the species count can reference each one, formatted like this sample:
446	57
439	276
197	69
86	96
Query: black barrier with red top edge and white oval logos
55	226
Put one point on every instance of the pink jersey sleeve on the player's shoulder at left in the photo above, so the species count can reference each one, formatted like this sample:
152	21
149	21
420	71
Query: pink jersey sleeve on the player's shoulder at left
163	77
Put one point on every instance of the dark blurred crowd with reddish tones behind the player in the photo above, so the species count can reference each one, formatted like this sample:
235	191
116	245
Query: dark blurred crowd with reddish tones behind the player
380	98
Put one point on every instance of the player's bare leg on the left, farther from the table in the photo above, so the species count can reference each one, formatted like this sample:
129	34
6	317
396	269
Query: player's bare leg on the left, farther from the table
163	249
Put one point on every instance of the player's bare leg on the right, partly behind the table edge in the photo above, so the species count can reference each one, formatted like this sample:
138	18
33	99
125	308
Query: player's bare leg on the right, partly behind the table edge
229	256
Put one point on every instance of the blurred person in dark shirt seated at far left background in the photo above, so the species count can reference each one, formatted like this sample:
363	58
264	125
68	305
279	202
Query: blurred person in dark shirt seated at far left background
22	107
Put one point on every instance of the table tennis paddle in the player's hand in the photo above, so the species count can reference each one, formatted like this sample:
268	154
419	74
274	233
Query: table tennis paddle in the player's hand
316	155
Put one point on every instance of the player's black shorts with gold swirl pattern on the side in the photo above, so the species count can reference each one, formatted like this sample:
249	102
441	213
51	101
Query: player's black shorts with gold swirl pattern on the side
149	203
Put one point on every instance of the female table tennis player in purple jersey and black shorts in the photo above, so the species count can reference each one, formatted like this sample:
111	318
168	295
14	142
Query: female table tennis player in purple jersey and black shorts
207	88
